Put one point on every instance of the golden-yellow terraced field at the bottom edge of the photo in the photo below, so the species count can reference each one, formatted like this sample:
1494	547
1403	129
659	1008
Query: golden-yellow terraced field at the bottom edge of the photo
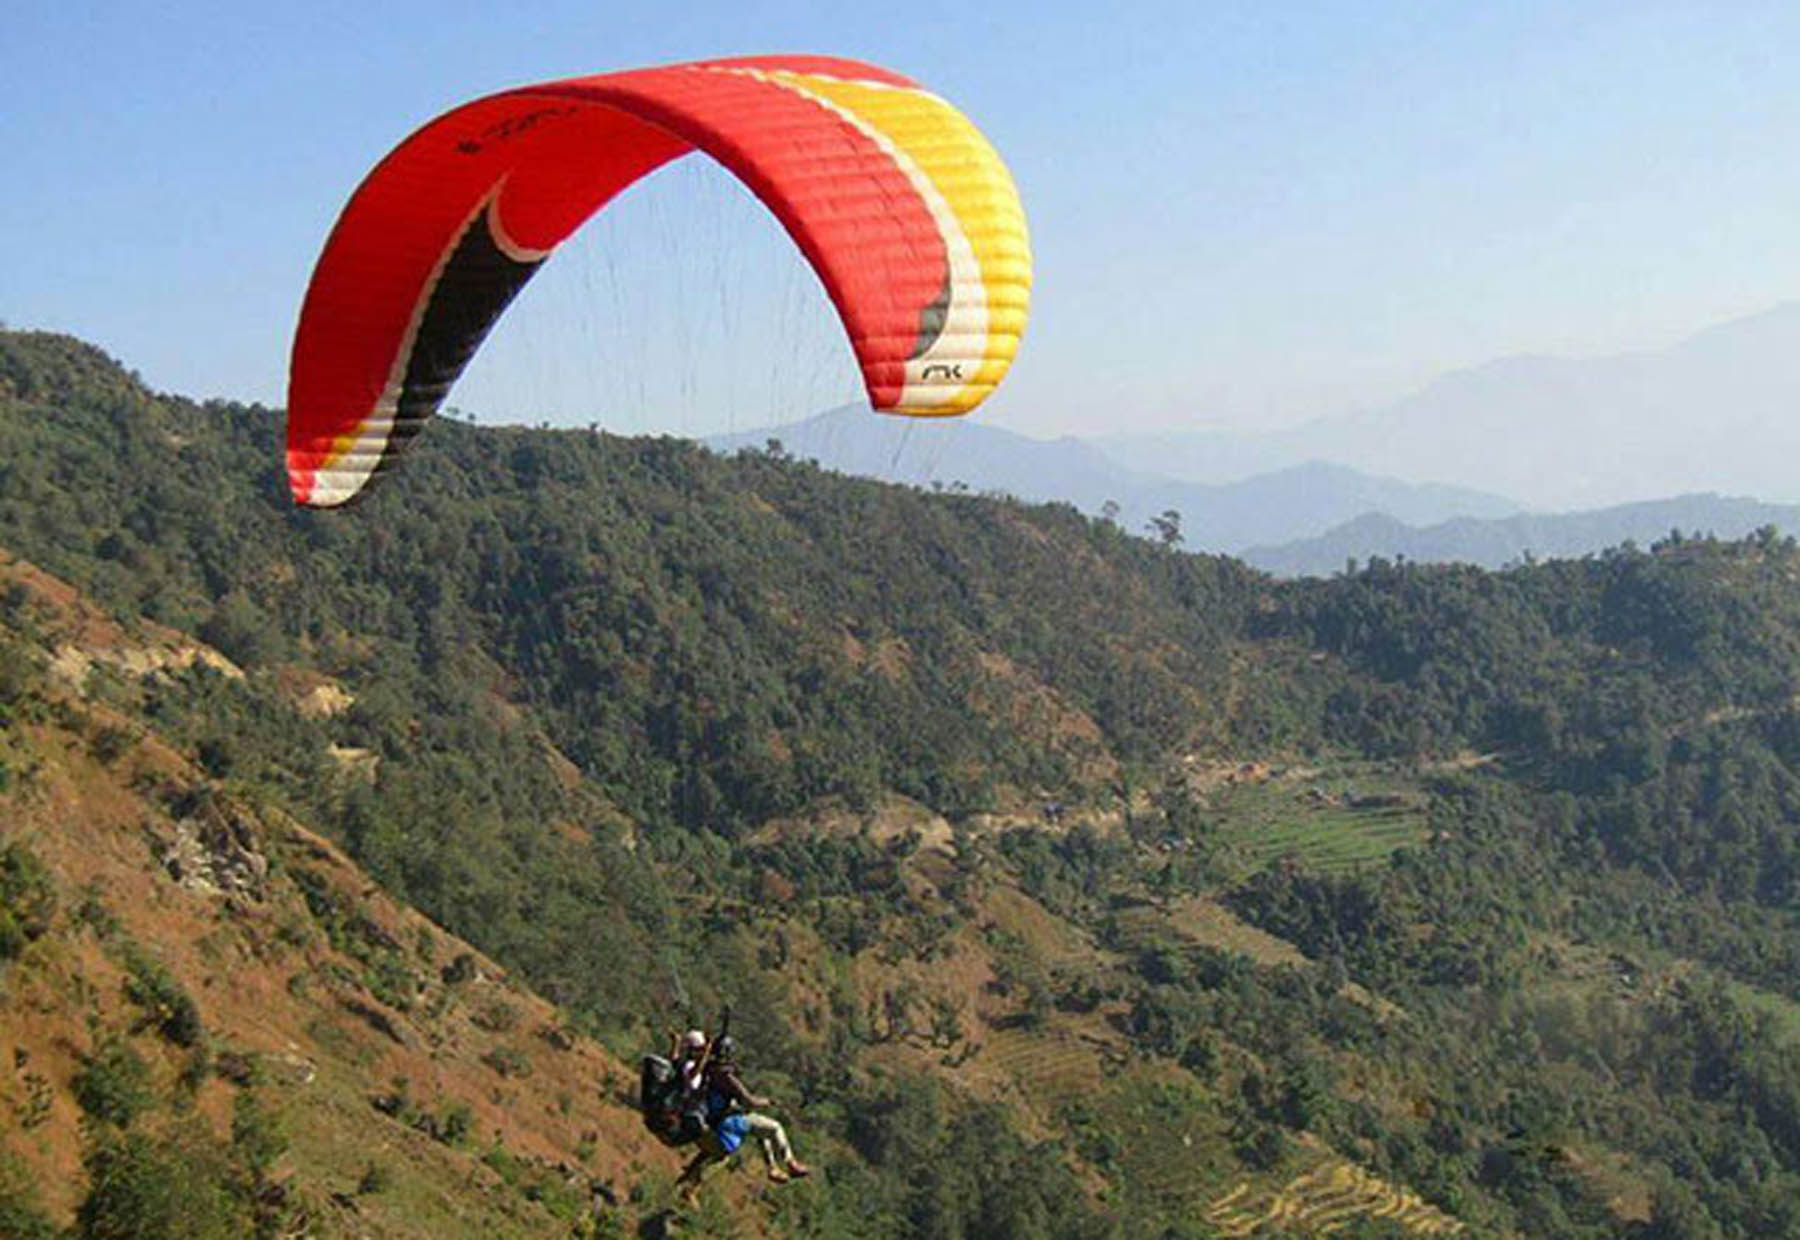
1324	1201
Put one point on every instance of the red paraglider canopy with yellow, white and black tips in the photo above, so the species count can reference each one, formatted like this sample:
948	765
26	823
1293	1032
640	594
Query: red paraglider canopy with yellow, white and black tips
894	197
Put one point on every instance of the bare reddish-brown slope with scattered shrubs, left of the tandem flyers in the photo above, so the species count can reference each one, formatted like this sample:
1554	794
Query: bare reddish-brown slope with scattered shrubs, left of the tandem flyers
422	1092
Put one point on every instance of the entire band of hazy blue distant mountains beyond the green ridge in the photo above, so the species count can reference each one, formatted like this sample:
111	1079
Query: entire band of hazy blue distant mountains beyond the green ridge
1597	445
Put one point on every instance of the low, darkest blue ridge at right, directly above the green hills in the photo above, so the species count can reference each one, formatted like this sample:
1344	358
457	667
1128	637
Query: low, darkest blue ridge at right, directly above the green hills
1511	539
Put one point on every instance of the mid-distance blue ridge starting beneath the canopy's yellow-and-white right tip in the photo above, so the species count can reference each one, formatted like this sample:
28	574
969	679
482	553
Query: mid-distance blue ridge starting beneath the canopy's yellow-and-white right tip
1284	505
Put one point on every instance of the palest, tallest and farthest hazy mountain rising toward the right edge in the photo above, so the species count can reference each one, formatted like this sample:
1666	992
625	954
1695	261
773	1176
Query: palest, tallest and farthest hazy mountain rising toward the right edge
1716	413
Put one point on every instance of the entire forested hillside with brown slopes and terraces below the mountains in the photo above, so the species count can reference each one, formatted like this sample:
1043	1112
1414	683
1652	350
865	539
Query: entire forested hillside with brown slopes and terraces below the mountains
1063	885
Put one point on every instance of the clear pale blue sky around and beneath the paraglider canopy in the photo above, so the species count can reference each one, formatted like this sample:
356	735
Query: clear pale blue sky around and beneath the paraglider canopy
1243	213
